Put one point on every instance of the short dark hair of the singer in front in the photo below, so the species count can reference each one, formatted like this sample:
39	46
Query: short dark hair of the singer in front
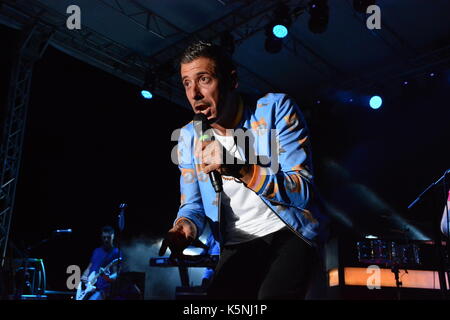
220	55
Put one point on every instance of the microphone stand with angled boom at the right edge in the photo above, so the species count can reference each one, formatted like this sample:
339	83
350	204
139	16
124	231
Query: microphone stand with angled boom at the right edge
443	264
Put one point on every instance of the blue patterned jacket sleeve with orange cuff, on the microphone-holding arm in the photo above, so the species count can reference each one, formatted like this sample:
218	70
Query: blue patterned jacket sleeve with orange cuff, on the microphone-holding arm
289	183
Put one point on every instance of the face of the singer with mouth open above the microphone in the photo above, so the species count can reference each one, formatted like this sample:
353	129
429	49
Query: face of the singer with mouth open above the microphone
203	88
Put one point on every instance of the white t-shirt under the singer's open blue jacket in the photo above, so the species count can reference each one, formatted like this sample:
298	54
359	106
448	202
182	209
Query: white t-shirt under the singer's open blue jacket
245	215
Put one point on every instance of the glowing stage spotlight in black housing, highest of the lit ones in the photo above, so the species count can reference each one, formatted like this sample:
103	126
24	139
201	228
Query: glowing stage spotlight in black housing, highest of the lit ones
277	29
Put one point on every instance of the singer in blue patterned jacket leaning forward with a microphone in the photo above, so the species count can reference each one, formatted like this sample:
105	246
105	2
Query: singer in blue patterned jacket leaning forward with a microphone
265	220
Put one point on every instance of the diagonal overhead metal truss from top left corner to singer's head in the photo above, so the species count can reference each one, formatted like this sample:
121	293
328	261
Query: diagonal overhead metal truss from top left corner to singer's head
85	44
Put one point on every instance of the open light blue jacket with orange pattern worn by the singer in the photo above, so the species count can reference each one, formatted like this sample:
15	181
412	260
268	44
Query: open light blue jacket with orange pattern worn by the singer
282	179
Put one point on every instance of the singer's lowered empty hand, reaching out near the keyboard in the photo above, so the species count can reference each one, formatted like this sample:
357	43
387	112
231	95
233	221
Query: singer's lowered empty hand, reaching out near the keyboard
178	238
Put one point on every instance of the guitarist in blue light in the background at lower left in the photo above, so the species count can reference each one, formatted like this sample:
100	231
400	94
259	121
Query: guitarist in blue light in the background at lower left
100	258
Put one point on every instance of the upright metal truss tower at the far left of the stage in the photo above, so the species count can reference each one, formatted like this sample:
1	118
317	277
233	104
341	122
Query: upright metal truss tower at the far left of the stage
31	49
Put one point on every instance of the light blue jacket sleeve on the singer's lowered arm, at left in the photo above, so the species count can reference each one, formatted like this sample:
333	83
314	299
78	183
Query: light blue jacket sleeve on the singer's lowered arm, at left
191	205
